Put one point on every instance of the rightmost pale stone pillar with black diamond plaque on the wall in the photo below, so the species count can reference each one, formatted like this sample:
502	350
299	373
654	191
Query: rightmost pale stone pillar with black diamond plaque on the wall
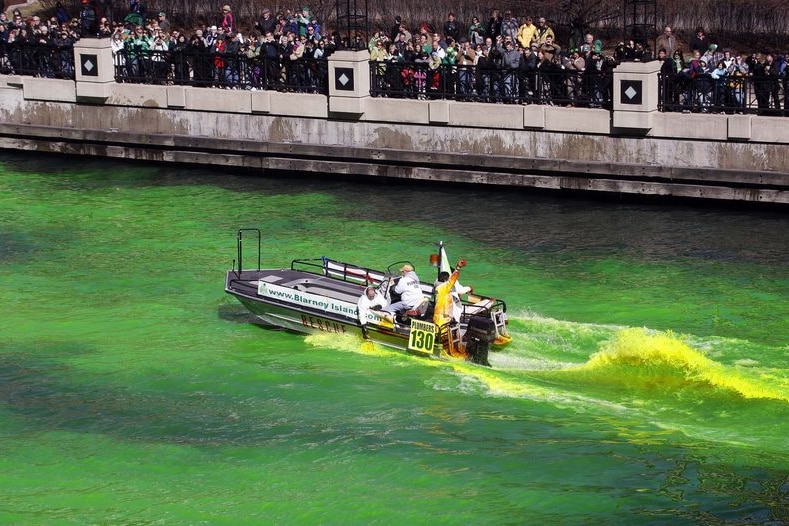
635	96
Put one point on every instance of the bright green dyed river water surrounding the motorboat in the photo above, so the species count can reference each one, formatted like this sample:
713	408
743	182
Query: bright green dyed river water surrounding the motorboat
647	382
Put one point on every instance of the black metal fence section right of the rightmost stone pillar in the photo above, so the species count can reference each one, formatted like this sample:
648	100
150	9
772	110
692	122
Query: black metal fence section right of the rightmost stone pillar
732	94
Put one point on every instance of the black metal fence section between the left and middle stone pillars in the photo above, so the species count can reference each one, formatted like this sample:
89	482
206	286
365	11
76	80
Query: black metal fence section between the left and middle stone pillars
222	70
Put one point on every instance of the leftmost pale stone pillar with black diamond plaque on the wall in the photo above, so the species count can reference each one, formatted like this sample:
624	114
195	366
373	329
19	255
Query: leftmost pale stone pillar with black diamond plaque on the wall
94	69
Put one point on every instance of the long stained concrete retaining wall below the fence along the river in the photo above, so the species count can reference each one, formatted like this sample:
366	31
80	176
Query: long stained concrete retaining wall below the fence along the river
736	157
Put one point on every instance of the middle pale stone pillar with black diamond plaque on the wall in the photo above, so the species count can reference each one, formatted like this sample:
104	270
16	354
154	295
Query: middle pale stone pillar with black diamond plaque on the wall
349	82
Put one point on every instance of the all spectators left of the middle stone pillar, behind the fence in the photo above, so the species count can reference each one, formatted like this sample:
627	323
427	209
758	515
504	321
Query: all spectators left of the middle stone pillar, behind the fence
286	49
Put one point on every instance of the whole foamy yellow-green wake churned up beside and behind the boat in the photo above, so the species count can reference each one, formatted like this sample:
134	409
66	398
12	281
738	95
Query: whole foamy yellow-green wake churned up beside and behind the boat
556	360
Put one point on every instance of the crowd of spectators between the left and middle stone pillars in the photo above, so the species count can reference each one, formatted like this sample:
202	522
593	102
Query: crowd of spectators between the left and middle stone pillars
286	50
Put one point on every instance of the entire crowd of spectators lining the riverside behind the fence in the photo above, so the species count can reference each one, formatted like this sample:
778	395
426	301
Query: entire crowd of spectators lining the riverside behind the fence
502	59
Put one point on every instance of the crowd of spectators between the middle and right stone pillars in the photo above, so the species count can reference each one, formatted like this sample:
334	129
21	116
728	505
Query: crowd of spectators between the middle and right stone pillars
502	60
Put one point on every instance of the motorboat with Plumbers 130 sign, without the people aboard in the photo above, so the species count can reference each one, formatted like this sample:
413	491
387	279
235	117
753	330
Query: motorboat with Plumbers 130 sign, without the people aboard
320	295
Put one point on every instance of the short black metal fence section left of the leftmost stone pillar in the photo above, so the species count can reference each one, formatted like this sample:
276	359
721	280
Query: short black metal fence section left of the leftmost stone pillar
37	60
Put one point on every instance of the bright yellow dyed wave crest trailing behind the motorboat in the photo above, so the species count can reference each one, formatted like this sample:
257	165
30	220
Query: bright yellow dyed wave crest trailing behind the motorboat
672	361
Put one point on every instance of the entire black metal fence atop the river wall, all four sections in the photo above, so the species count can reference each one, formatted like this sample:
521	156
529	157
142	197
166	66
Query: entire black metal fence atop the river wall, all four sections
766	95
